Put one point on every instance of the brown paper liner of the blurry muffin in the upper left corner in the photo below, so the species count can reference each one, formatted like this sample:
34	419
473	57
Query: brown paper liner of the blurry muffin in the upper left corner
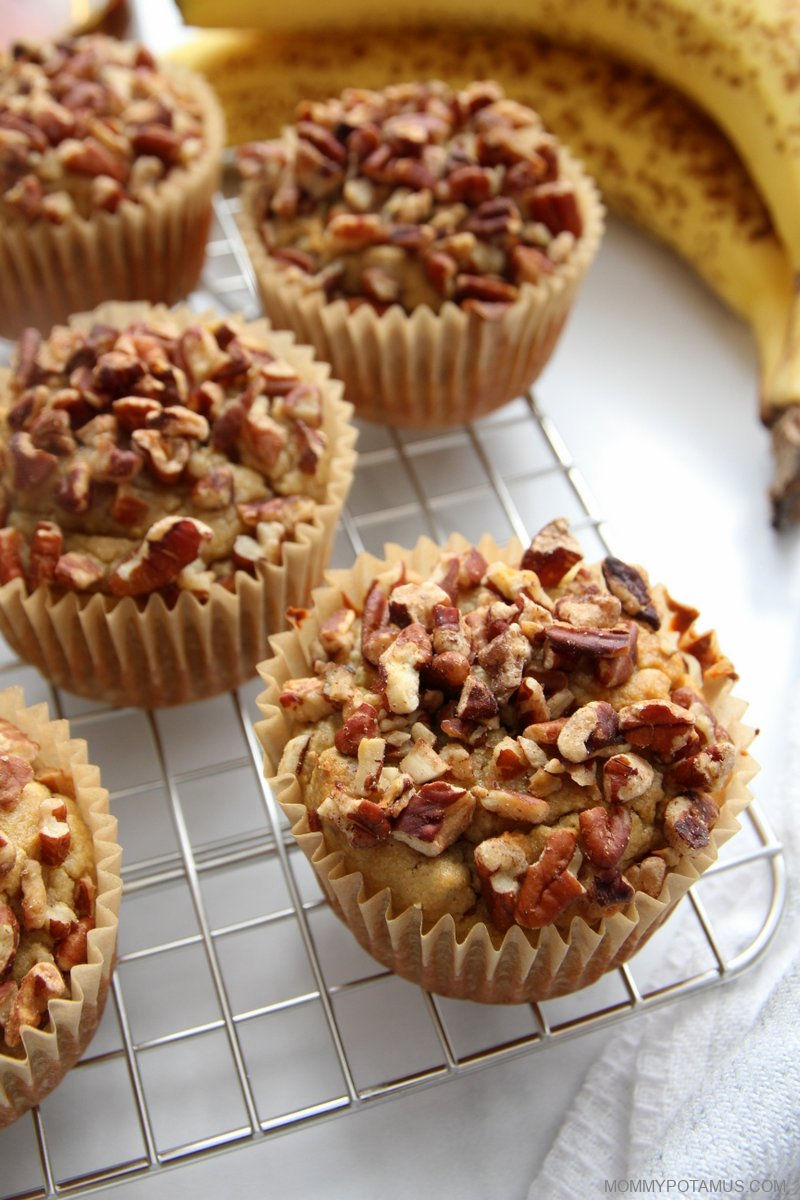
153	250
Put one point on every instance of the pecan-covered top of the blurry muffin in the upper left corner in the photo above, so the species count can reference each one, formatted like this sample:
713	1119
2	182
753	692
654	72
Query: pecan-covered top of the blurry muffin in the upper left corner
89	123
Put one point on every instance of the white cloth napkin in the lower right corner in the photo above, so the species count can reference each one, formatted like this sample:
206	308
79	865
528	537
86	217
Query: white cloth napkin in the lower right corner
707	1090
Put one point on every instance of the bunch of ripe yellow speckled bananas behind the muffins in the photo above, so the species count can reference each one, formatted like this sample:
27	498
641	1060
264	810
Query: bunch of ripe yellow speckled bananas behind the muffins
658	160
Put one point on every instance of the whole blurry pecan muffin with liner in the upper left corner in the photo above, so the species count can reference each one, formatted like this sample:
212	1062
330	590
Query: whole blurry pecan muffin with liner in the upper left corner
109	163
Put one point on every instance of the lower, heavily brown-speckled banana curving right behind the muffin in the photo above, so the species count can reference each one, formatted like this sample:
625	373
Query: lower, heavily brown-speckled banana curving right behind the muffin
658	160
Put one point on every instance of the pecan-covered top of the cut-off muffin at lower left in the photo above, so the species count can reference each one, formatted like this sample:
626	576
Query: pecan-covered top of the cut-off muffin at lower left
47	885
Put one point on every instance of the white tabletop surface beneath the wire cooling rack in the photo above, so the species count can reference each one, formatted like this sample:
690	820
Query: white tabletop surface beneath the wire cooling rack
654	391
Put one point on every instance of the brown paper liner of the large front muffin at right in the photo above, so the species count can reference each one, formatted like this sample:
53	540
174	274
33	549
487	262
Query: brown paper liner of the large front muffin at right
526	965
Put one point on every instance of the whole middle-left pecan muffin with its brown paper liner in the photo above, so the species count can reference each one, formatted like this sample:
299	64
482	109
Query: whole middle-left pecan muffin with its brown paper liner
193	467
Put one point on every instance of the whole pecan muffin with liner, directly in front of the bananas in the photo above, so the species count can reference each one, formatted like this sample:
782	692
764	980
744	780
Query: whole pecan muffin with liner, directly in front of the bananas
420	201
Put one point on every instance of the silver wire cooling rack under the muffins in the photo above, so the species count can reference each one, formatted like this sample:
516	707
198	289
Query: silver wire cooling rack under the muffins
232	973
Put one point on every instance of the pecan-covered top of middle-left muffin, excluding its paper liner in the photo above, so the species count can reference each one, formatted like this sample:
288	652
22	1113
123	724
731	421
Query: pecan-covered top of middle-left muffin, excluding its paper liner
161	454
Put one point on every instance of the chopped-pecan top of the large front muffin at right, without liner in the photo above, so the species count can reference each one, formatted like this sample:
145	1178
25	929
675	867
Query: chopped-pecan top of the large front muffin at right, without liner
513	745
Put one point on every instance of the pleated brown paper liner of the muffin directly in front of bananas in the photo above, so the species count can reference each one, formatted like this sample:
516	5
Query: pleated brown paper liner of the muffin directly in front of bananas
426	369
